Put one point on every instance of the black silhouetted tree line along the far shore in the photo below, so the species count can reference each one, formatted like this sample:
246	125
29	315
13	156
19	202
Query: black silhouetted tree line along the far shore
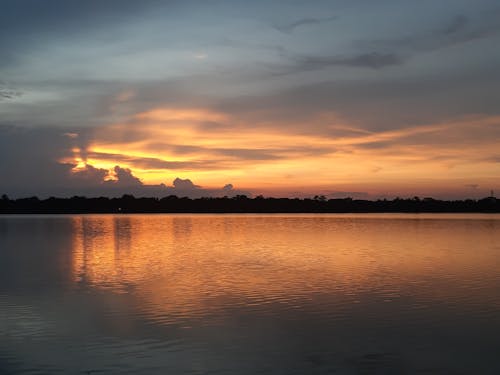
238	204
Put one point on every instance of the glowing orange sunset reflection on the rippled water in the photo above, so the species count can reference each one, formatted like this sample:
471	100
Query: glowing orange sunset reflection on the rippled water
192	265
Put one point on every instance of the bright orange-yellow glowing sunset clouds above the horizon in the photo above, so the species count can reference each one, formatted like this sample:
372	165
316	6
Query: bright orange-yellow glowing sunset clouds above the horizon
211	147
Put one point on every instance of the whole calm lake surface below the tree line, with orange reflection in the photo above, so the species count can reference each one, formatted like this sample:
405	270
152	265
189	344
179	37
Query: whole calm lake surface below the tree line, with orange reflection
250	294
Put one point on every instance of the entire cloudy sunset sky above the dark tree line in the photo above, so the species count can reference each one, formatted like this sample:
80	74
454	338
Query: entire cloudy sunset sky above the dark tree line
367	99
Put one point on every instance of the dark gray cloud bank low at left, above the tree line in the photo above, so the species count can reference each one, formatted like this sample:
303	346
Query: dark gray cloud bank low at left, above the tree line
29	166
